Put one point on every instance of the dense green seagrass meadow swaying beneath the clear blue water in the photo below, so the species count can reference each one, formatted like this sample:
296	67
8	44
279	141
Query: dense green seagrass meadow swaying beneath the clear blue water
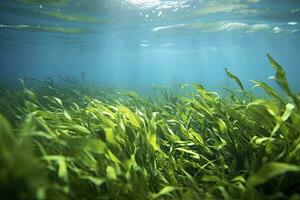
83	142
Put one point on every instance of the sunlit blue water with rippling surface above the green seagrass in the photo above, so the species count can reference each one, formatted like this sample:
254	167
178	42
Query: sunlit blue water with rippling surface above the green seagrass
137	43
